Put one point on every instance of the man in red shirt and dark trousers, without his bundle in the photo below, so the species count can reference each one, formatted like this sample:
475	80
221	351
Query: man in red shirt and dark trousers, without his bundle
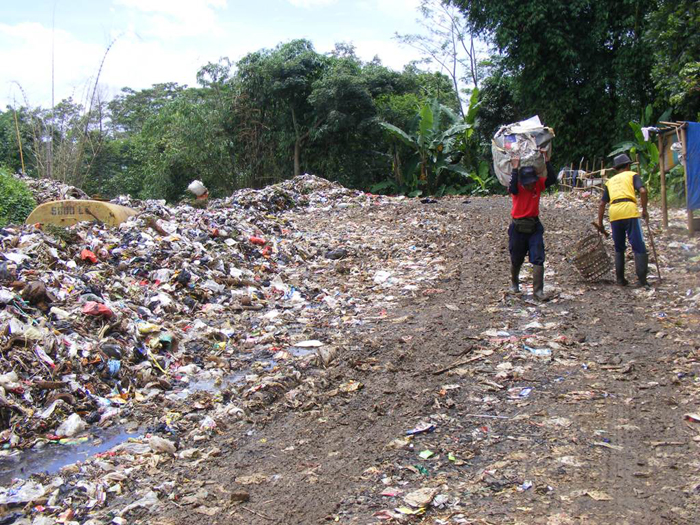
526	233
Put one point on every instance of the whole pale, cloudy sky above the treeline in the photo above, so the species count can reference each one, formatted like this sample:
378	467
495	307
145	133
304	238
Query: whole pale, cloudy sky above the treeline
143	42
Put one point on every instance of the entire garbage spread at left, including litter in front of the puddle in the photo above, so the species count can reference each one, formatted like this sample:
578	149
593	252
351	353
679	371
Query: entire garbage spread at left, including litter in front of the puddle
176	323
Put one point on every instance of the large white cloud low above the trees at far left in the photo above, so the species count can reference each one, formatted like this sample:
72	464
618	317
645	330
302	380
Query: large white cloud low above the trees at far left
25	52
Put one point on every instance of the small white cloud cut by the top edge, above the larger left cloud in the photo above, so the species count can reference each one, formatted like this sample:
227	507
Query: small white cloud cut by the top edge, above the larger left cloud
169	19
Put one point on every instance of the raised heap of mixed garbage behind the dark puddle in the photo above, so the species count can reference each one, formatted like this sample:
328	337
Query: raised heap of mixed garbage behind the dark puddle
95	319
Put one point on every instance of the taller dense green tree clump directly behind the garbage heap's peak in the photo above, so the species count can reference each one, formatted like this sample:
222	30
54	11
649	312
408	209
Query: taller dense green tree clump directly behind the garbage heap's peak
318	113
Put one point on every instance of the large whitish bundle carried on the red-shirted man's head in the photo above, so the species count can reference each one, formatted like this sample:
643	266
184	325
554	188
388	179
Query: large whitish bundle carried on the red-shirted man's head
526	140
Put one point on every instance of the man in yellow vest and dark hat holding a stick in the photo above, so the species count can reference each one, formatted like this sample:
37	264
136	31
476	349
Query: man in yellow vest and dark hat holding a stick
620	193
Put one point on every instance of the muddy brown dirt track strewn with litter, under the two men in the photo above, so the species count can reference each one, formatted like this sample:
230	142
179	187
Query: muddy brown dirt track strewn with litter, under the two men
593	430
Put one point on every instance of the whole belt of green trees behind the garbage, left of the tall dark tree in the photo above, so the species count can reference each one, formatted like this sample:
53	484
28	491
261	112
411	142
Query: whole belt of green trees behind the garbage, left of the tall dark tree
274	113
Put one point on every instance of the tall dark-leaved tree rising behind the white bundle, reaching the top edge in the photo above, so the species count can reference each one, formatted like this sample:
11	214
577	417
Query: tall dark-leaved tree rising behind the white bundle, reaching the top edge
582	65
